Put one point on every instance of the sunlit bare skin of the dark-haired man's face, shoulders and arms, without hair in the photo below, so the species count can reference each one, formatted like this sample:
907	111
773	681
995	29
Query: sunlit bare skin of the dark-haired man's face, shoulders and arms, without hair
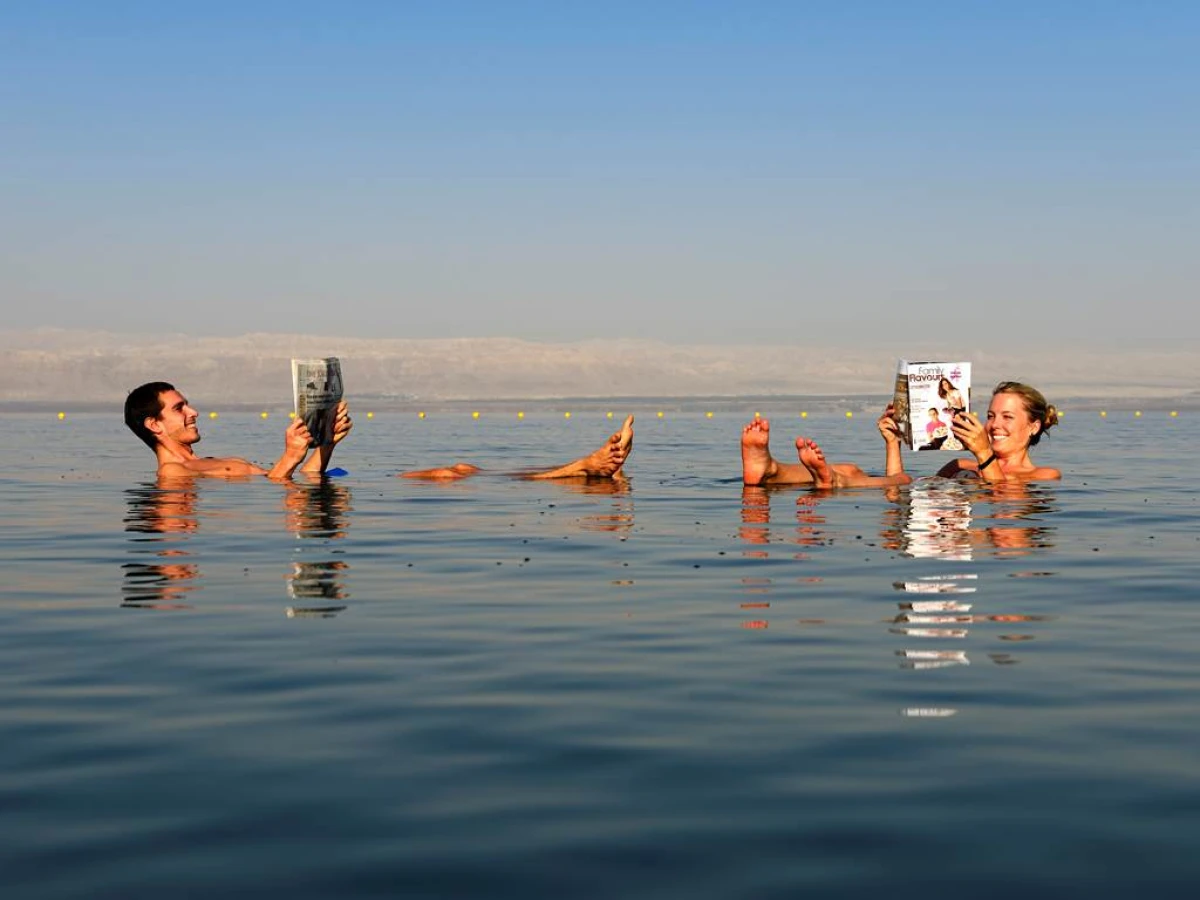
177	433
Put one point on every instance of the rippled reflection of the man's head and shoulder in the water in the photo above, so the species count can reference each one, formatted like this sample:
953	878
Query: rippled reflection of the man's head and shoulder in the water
163	515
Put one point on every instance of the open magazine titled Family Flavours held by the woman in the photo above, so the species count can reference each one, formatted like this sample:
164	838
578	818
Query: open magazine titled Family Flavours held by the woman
927	397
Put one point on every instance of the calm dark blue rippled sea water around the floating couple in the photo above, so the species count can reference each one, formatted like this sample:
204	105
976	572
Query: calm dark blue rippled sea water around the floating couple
375	688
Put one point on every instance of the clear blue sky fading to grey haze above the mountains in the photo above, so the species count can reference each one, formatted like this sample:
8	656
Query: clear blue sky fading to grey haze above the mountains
788	173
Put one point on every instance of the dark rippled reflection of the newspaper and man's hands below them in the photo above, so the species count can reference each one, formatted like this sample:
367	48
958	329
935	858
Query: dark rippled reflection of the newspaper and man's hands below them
319	513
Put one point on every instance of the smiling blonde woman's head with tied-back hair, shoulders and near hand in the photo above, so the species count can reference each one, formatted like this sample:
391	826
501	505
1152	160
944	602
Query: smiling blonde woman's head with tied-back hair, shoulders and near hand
1017	419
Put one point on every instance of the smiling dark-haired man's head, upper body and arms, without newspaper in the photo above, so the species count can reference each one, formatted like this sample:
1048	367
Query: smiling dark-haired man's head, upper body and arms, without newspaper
161	417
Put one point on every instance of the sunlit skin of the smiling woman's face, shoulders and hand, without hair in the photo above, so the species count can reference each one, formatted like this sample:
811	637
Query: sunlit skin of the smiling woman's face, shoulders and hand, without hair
1006	434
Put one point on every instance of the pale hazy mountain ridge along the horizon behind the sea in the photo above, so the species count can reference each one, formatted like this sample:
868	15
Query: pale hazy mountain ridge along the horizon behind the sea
99	368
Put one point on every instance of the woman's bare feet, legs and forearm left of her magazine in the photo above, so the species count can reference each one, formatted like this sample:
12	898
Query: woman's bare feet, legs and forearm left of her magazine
760	469
